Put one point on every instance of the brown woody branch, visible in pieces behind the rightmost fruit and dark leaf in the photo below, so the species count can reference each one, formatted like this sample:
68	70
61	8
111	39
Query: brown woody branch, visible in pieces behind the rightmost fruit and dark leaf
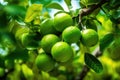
97	52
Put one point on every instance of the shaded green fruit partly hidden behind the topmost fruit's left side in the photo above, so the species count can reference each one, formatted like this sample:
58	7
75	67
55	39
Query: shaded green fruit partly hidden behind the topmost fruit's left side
46	27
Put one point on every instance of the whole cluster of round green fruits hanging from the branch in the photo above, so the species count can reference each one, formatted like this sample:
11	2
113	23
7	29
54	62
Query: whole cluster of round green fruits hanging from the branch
56	37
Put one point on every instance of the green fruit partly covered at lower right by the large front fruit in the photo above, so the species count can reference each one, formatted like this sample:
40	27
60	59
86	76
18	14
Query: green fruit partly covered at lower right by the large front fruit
48	41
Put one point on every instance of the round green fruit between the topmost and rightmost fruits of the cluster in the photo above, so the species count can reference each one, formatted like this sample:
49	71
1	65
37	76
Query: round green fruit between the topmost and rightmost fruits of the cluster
71	34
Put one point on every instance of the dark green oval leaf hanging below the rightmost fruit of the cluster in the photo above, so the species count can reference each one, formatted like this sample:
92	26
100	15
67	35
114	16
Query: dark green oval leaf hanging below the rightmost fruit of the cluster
93	62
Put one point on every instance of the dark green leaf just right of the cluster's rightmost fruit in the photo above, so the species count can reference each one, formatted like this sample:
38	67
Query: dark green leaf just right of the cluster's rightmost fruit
105	41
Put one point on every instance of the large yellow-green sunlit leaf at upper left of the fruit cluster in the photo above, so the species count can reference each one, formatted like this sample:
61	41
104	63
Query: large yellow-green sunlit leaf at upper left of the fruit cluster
32	12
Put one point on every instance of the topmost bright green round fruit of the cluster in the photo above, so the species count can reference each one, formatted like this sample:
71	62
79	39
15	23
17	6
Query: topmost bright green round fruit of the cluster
62	20
